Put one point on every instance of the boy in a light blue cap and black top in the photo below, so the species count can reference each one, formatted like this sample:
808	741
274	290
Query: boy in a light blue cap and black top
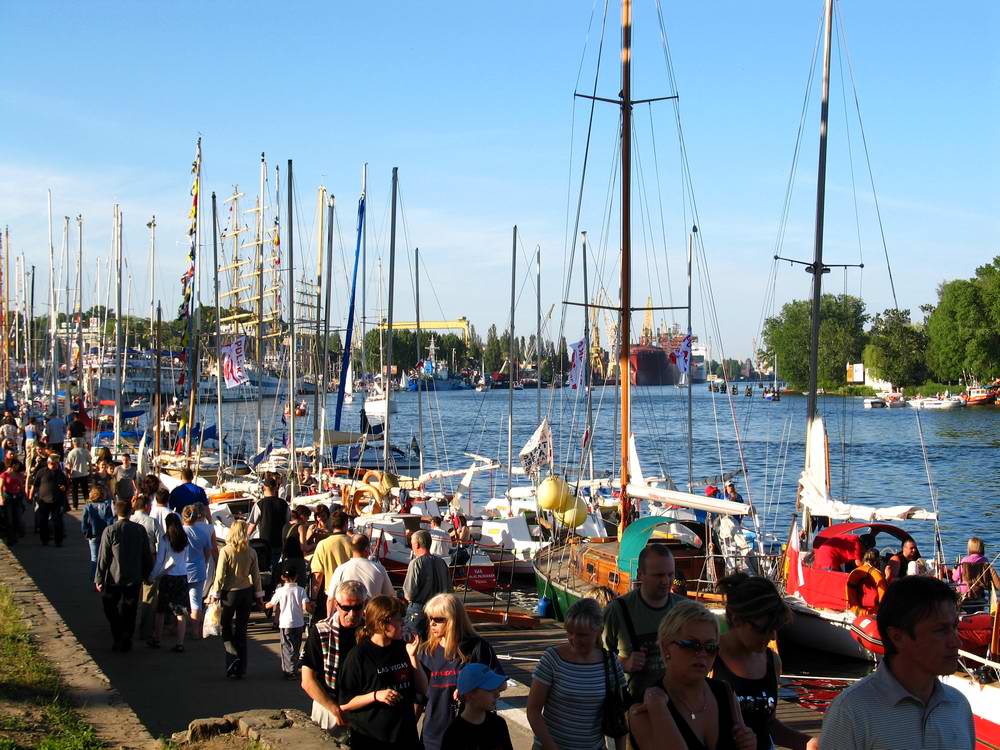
477	727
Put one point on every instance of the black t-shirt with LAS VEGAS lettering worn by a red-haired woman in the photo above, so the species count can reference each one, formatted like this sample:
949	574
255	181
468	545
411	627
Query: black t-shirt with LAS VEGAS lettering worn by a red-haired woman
369	668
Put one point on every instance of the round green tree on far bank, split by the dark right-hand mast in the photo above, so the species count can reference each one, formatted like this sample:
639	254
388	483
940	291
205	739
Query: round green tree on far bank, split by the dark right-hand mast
841	339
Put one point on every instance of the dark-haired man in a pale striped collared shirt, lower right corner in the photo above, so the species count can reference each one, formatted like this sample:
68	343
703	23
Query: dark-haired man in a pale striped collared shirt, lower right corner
903	704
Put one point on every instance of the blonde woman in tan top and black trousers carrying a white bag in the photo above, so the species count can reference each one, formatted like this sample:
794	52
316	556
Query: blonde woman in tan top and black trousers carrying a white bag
236	583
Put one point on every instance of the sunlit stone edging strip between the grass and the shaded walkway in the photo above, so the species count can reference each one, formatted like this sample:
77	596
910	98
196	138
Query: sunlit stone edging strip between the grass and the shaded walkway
85	686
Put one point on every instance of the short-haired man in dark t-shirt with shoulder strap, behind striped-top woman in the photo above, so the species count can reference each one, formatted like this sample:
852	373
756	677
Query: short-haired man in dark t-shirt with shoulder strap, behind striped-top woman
631	621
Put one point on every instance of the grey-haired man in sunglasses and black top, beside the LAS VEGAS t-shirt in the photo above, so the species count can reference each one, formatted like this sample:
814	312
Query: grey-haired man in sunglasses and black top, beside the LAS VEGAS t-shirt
329	642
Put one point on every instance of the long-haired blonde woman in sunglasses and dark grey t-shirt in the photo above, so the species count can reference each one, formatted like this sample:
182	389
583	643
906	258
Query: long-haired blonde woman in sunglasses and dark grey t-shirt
451	643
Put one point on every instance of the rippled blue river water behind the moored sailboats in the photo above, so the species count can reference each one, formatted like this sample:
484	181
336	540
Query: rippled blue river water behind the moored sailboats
875	454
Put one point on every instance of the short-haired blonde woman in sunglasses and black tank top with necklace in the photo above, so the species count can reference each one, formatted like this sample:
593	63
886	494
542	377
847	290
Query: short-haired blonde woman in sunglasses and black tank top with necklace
690	711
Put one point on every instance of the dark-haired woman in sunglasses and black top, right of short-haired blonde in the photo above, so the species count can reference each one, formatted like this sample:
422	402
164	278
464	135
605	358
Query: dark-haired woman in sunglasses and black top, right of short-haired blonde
754	612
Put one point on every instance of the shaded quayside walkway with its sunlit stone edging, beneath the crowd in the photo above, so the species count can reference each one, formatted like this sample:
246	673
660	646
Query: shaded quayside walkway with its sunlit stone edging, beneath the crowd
160	692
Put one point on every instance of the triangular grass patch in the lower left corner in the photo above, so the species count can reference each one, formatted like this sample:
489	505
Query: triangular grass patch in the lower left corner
33	713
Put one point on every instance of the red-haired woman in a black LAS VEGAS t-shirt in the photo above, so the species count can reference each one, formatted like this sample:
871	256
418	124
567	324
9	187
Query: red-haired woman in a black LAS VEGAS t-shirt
380	680
